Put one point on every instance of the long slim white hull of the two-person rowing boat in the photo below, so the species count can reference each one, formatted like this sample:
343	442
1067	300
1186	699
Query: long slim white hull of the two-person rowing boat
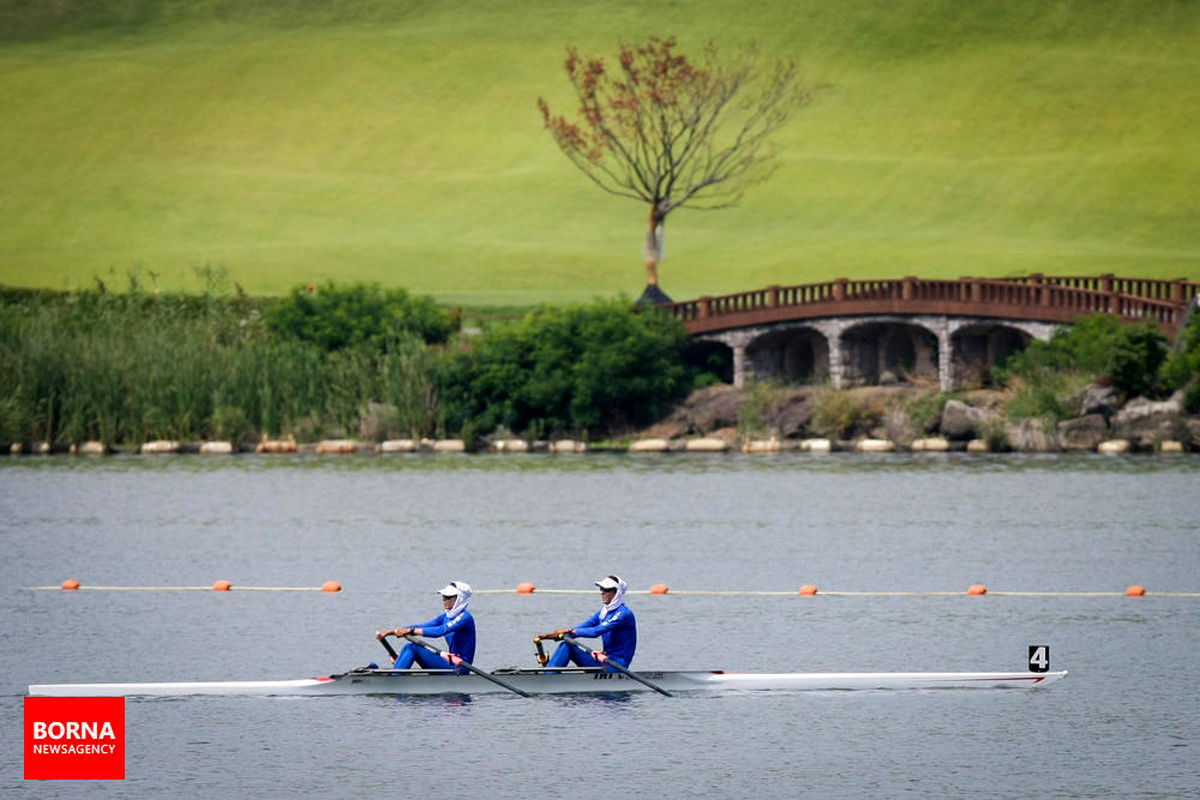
571	682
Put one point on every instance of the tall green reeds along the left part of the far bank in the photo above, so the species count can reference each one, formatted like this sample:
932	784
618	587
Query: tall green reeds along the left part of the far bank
134	368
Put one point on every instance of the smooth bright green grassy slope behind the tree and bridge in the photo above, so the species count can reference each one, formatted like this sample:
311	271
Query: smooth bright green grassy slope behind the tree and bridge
400	143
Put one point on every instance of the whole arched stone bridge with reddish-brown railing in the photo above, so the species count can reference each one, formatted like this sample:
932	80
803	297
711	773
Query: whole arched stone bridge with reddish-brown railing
868	333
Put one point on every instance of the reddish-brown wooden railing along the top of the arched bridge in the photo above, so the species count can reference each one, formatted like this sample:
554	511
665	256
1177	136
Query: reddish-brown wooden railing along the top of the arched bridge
1052	299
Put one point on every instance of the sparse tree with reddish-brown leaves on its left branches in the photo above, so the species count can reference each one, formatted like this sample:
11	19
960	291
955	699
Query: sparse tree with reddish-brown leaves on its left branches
671	133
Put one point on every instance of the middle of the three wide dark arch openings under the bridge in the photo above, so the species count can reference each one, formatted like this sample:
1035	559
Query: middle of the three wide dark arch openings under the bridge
886	352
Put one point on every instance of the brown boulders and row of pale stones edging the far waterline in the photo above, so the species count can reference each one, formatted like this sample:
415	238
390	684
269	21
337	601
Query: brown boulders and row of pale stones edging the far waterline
891	419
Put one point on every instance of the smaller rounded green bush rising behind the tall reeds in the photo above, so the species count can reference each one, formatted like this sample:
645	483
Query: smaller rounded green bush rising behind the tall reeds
337	318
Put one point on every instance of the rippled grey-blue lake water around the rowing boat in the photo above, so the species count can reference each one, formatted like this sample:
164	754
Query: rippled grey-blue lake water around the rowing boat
394	530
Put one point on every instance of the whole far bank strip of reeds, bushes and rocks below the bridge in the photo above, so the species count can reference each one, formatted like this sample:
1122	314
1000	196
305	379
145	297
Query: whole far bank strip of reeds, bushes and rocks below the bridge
362	369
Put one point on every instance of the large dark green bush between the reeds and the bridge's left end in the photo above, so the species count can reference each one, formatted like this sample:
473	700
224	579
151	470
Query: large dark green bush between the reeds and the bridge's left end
584	369
